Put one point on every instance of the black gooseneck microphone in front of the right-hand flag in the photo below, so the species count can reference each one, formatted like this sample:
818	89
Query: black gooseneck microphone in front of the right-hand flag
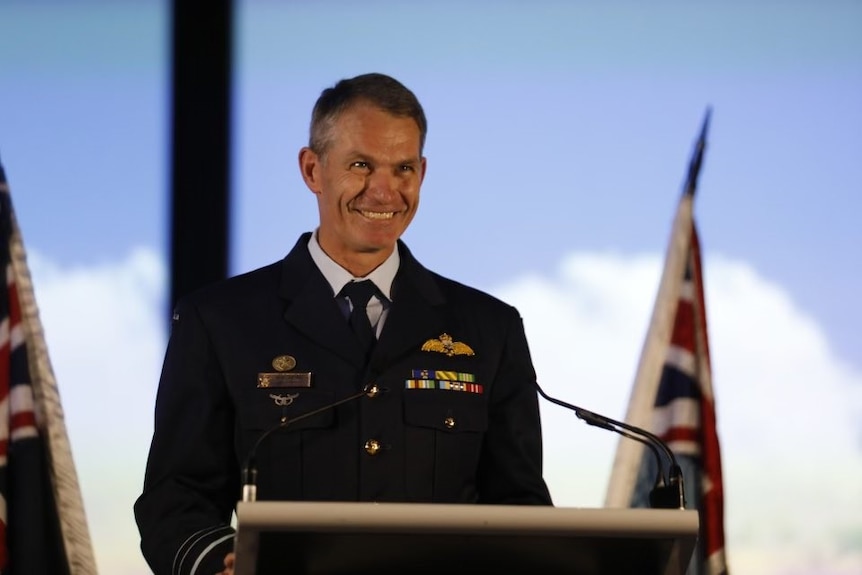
668	491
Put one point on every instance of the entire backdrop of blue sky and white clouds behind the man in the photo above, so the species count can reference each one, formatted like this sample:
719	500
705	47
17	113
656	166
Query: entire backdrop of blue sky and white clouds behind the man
559	136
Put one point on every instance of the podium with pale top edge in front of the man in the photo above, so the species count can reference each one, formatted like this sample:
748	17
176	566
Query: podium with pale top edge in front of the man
356	538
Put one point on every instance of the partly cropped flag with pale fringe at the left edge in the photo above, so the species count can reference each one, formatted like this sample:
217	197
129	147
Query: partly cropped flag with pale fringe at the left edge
43	529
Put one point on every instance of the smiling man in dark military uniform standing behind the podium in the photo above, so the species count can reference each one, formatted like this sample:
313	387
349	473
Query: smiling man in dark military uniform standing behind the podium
451	413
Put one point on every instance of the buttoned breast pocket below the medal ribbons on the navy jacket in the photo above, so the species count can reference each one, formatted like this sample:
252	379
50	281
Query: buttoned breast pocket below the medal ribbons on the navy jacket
444	432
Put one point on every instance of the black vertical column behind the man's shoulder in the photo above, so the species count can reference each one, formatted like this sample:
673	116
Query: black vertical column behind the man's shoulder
200	147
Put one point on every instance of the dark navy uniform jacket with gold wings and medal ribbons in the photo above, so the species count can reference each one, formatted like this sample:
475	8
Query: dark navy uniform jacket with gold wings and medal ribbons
456	423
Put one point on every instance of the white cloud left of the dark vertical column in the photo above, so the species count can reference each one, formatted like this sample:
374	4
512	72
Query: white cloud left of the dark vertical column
105	328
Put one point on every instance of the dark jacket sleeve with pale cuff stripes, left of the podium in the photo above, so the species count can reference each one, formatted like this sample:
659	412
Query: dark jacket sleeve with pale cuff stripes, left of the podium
191	483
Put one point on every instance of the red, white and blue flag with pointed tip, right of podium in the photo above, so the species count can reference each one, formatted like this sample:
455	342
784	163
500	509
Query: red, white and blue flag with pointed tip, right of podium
672	394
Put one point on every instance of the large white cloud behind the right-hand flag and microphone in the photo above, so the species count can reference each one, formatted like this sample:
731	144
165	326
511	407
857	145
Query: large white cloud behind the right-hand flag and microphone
788	409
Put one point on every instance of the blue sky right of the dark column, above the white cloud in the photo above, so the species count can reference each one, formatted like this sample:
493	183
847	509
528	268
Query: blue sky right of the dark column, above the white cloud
560	125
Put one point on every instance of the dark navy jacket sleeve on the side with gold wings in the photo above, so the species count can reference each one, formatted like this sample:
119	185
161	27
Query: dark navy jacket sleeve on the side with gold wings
510	469
